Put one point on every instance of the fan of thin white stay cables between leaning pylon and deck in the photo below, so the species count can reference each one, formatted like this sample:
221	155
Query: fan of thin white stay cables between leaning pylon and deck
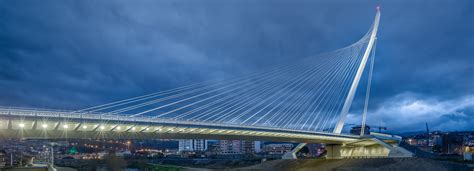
307	94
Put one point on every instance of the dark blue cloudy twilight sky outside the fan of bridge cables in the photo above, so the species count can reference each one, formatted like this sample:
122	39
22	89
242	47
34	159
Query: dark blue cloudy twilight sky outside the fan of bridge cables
70	54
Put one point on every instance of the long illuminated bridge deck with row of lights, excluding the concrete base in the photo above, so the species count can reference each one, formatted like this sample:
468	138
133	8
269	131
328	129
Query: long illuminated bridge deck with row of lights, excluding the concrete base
51	124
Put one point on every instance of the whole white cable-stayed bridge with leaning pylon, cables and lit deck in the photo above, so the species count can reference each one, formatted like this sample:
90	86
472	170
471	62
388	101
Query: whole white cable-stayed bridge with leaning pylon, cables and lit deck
300	101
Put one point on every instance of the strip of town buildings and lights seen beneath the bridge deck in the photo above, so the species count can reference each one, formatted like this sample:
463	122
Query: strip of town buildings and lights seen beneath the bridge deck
28	152
